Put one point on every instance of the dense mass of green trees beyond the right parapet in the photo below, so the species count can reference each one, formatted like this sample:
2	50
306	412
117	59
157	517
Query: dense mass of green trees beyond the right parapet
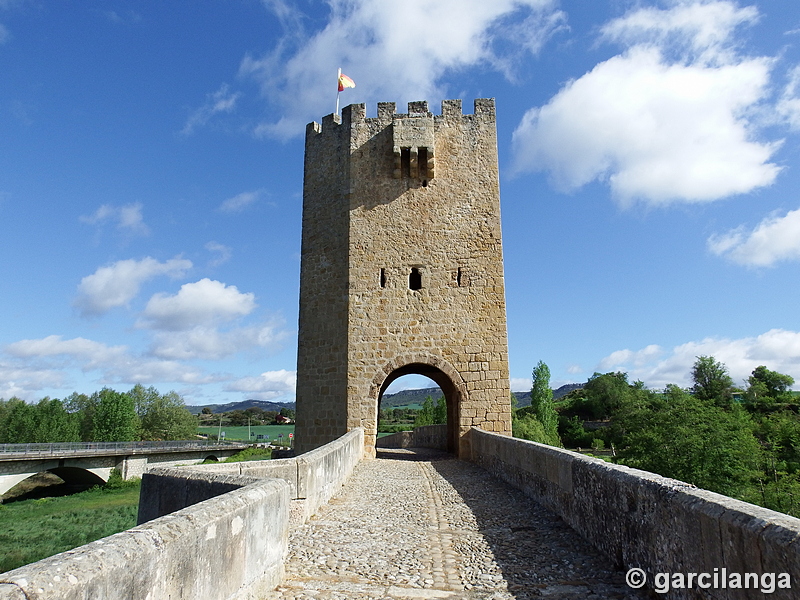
743	443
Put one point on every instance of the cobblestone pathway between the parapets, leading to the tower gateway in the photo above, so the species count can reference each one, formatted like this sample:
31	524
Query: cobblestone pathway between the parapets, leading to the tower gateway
419	524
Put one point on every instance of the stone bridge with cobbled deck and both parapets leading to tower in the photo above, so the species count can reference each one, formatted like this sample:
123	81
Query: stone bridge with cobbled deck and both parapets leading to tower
517	520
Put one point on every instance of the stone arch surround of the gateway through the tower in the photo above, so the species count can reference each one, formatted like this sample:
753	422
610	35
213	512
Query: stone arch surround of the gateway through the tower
440	372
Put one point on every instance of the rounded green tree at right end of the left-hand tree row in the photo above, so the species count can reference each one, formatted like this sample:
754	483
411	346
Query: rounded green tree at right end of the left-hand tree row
163	417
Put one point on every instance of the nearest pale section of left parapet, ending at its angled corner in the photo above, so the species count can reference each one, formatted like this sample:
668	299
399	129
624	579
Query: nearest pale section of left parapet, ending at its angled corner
228	547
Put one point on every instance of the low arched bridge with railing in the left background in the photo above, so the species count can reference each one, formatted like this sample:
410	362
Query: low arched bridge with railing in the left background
92	462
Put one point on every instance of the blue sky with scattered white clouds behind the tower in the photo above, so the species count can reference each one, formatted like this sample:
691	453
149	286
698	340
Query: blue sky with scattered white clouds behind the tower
151	180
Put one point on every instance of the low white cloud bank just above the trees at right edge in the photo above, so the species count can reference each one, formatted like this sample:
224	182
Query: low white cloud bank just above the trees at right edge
778	349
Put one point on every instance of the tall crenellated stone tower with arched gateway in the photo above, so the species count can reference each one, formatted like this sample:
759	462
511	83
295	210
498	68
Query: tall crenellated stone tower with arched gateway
401	269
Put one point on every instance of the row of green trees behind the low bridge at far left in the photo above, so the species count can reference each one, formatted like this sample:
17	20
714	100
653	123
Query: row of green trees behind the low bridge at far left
105	416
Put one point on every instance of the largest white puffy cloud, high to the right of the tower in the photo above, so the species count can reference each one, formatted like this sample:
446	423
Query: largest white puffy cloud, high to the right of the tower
668	120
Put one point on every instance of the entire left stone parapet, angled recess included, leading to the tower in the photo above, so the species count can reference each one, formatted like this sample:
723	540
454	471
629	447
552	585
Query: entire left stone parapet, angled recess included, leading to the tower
210	531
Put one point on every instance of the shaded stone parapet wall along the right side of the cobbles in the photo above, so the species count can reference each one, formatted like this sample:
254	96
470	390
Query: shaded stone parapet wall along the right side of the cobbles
643	520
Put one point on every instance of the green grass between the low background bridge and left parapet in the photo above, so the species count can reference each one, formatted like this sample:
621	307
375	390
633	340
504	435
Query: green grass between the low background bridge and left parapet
31	530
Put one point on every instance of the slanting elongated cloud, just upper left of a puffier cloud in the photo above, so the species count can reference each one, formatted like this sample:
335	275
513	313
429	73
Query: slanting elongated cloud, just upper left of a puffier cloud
118	283
